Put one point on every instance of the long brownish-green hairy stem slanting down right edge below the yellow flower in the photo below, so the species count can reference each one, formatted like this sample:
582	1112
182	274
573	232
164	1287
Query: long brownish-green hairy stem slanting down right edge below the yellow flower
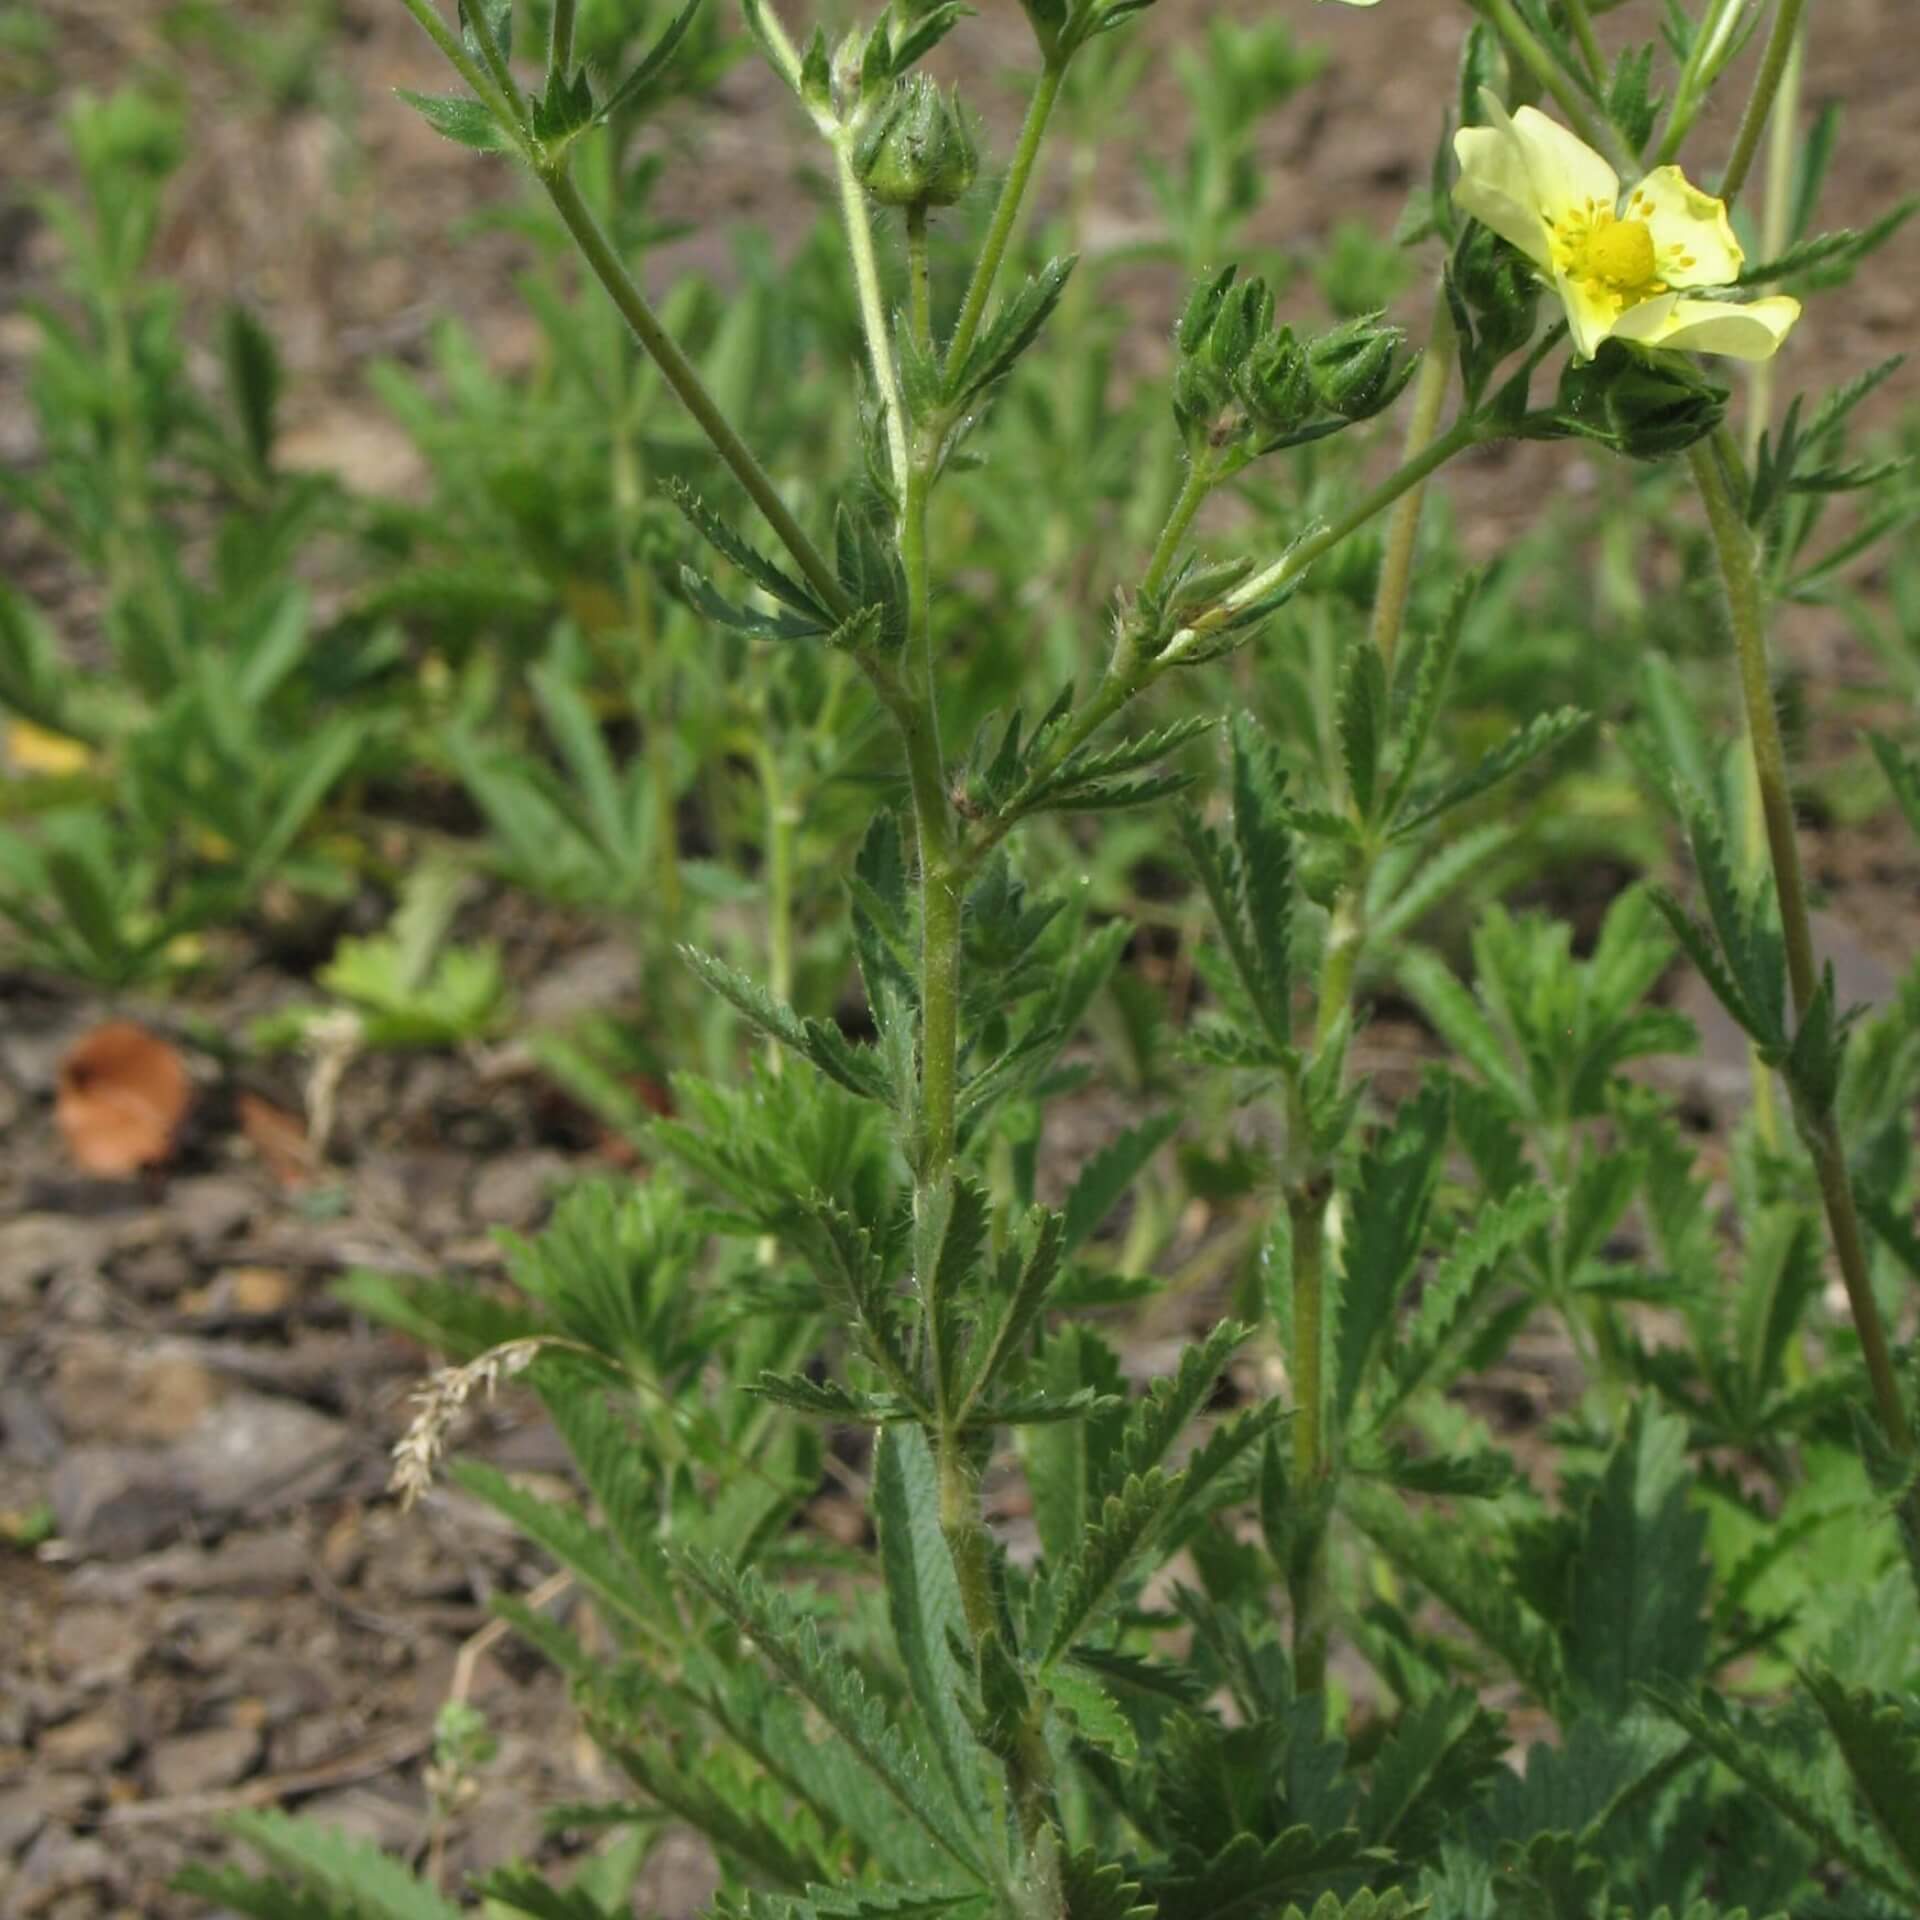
1740	577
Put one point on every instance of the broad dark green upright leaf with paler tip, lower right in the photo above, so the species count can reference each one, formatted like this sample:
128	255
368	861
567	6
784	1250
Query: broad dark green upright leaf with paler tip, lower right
1639	1581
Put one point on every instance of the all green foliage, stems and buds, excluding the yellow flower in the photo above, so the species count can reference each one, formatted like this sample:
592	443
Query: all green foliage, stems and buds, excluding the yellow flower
911	723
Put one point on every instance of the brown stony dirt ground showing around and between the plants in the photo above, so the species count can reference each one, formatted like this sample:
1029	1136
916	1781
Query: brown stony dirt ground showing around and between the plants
233	1614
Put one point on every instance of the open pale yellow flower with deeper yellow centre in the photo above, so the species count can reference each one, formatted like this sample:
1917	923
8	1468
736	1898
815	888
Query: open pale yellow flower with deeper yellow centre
1621	264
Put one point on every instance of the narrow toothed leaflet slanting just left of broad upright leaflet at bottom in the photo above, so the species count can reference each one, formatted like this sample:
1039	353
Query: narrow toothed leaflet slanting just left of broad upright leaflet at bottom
832	1685
